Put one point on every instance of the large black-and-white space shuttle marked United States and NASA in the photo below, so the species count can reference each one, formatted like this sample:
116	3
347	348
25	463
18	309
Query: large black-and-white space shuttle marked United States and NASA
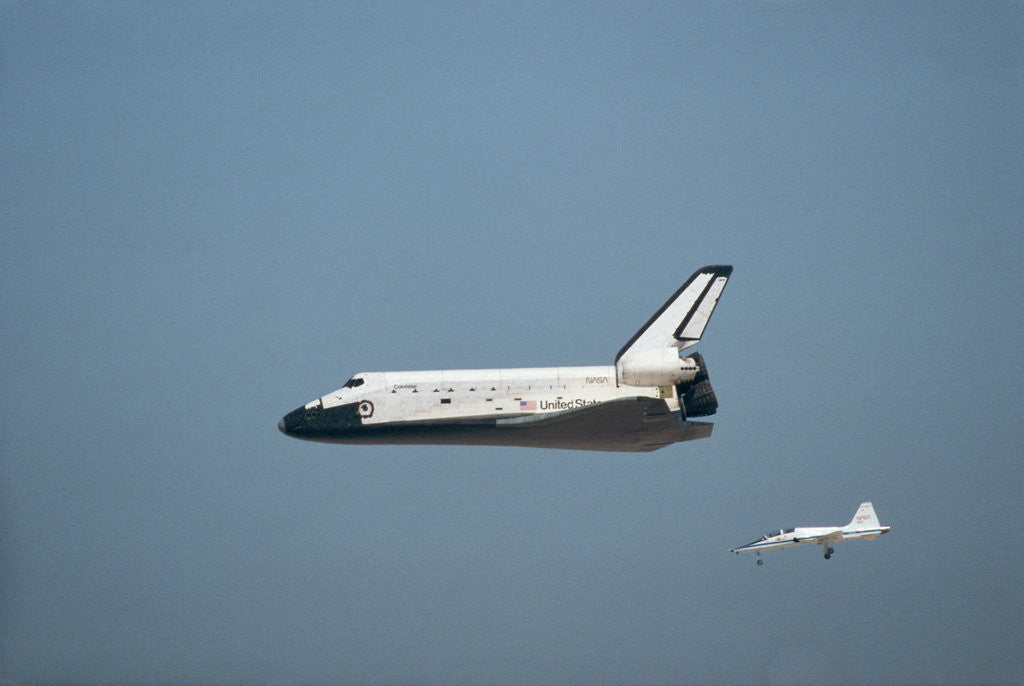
644	402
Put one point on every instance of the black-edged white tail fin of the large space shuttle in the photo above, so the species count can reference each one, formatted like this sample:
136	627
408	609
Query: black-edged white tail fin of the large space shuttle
681	321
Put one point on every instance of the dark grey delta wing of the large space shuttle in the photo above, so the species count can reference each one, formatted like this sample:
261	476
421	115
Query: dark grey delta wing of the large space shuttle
633	424
